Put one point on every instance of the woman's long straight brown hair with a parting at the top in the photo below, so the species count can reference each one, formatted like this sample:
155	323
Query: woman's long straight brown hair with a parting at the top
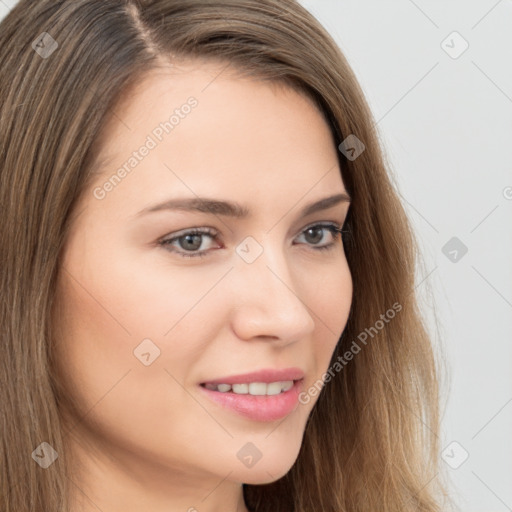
371	441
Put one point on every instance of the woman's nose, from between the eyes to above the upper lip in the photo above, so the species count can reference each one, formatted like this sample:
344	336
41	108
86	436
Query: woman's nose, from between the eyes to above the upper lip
266	301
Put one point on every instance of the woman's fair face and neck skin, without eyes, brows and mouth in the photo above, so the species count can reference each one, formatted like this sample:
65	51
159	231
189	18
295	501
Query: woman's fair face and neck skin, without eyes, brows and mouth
144	437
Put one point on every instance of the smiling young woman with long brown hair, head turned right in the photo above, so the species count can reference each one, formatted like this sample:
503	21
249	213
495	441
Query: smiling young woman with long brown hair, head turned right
207	275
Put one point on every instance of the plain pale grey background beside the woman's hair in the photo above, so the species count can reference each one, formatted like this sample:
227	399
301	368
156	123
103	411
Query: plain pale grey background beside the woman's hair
445	120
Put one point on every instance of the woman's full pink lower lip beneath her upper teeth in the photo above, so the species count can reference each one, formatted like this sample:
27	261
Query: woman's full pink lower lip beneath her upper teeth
258	408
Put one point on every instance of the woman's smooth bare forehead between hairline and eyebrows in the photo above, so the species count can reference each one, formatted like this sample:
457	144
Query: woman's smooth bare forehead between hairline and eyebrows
242	138
